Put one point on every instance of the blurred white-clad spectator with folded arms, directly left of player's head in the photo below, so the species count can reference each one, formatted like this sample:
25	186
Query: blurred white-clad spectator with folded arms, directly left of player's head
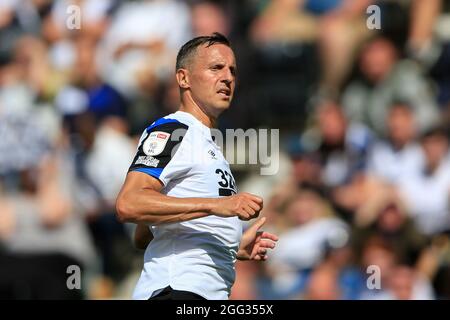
138	50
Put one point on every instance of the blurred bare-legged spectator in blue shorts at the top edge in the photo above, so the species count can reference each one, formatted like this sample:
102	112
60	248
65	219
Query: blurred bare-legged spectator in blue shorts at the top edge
338	26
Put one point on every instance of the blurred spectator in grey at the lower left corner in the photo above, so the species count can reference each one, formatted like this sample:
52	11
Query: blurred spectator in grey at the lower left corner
45	231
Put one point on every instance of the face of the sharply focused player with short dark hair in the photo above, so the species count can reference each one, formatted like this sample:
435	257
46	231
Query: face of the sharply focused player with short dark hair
212	78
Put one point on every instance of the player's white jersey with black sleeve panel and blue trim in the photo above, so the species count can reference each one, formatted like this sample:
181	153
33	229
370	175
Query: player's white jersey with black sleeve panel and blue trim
196	255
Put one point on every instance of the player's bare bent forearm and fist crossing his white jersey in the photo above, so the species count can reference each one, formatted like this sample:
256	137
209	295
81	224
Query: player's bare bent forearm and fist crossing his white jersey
140	201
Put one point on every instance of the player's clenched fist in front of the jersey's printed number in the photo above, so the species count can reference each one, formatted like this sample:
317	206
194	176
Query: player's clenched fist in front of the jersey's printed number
244	205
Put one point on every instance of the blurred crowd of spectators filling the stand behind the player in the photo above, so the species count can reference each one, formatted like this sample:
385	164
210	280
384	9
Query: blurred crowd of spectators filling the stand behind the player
362	198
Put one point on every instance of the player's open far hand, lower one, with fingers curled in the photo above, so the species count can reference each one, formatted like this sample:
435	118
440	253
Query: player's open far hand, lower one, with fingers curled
254	243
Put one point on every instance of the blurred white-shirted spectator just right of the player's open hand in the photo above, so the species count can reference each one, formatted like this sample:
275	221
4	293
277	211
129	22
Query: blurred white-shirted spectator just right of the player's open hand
309	225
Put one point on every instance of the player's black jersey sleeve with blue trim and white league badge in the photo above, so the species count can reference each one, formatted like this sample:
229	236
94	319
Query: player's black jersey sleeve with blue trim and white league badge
157	148
